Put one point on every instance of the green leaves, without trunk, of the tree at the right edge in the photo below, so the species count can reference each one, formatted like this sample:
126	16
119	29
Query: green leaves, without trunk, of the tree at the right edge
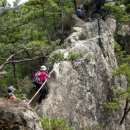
124	69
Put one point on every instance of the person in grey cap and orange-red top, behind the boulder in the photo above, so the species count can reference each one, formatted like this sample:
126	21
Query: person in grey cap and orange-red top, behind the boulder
10	91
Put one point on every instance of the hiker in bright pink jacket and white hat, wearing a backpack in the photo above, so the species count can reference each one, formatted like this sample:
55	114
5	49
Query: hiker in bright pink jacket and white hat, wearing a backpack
39	79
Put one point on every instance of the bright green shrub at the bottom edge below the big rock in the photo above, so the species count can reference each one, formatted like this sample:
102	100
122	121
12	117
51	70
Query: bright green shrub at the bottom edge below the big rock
54	124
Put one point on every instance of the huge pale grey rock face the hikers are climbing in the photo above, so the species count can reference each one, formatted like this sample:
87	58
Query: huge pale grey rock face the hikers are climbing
79	88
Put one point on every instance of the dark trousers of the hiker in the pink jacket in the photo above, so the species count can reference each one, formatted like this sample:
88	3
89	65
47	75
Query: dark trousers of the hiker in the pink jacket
43	92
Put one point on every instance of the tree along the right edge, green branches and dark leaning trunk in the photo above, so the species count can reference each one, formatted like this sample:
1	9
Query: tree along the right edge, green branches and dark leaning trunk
121	94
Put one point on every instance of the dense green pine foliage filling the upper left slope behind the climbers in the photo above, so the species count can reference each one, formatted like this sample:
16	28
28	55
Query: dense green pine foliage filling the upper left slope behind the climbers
33	28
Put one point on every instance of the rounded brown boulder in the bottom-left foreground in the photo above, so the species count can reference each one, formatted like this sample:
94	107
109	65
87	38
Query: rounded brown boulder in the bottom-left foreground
16	115
